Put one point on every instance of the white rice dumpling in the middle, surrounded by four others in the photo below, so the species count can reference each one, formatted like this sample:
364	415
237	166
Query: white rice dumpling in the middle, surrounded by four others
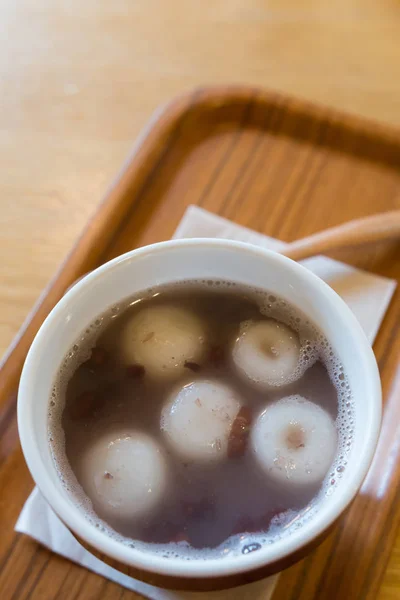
197	420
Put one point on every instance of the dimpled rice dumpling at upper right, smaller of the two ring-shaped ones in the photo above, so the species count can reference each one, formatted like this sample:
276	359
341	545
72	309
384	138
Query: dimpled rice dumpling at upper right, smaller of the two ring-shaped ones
267	353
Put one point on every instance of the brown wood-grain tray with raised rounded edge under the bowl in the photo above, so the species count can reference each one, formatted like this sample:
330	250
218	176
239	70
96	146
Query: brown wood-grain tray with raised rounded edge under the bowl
284	168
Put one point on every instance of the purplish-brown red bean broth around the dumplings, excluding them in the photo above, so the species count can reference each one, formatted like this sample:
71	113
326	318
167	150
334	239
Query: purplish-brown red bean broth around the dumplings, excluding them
208	505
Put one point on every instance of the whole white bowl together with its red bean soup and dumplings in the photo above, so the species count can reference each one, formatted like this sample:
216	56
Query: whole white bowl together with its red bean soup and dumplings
200	412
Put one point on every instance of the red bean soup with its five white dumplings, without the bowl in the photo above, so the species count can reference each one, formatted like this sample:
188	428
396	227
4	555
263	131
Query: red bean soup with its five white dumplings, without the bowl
200	418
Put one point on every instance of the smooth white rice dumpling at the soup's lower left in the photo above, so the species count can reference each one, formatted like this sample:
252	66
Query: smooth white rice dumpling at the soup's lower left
124	474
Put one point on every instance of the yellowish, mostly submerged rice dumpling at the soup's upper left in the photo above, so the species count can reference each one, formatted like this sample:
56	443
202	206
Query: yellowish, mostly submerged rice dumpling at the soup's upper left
162	339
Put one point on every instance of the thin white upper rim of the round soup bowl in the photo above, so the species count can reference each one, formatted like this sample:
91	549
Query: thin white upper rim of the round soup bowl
208	567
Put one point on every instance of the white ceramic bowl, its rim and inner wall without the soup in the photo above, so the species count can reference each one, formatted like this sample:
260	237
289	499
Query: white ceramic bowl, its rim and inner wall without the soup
176	261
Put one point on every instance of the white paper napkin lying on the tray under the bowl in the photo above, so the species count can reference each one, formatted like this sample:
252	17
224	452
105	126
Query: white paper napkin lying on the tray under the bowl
367	295
